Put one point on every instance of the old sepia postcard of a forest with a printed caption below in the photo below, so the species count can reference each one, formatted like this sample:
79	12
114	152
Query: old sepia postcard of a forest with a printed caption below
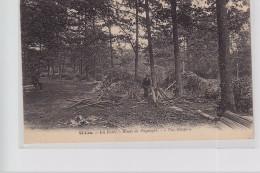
136	70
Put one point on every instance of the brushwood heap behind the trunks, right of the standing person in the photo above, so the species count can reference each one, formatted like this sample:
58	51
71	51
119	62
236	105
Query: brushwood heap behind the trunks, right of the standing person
210	89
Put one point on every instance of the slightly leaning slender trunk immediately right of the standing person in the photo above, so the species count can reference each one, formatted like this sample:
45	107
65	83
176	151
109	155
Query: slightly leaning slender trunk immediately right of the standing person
150	47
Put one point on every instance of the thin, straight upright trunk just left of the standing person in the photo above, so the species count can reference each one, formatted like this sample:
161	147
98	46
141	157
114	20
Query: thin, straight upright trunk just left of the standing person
137	33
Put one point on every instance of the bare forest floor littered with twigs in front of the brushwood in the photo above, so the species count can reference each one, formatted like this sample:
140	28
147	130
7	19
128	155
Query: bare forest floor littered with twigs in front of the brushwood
48	109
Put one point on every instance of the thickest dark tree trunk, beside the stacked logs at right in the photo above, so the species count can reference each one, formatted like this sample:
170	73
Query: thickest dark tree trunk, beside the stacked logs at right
227	96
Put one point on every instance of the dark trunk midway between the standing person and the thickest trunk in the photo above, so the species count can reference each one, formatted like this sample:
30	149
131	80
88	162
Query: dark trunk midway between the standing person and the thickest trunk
179	88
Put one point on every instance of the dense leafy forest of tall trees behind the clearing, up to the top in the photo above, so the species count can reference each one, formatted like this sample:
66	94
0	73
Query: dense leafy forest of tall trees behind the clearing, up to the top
89	38
